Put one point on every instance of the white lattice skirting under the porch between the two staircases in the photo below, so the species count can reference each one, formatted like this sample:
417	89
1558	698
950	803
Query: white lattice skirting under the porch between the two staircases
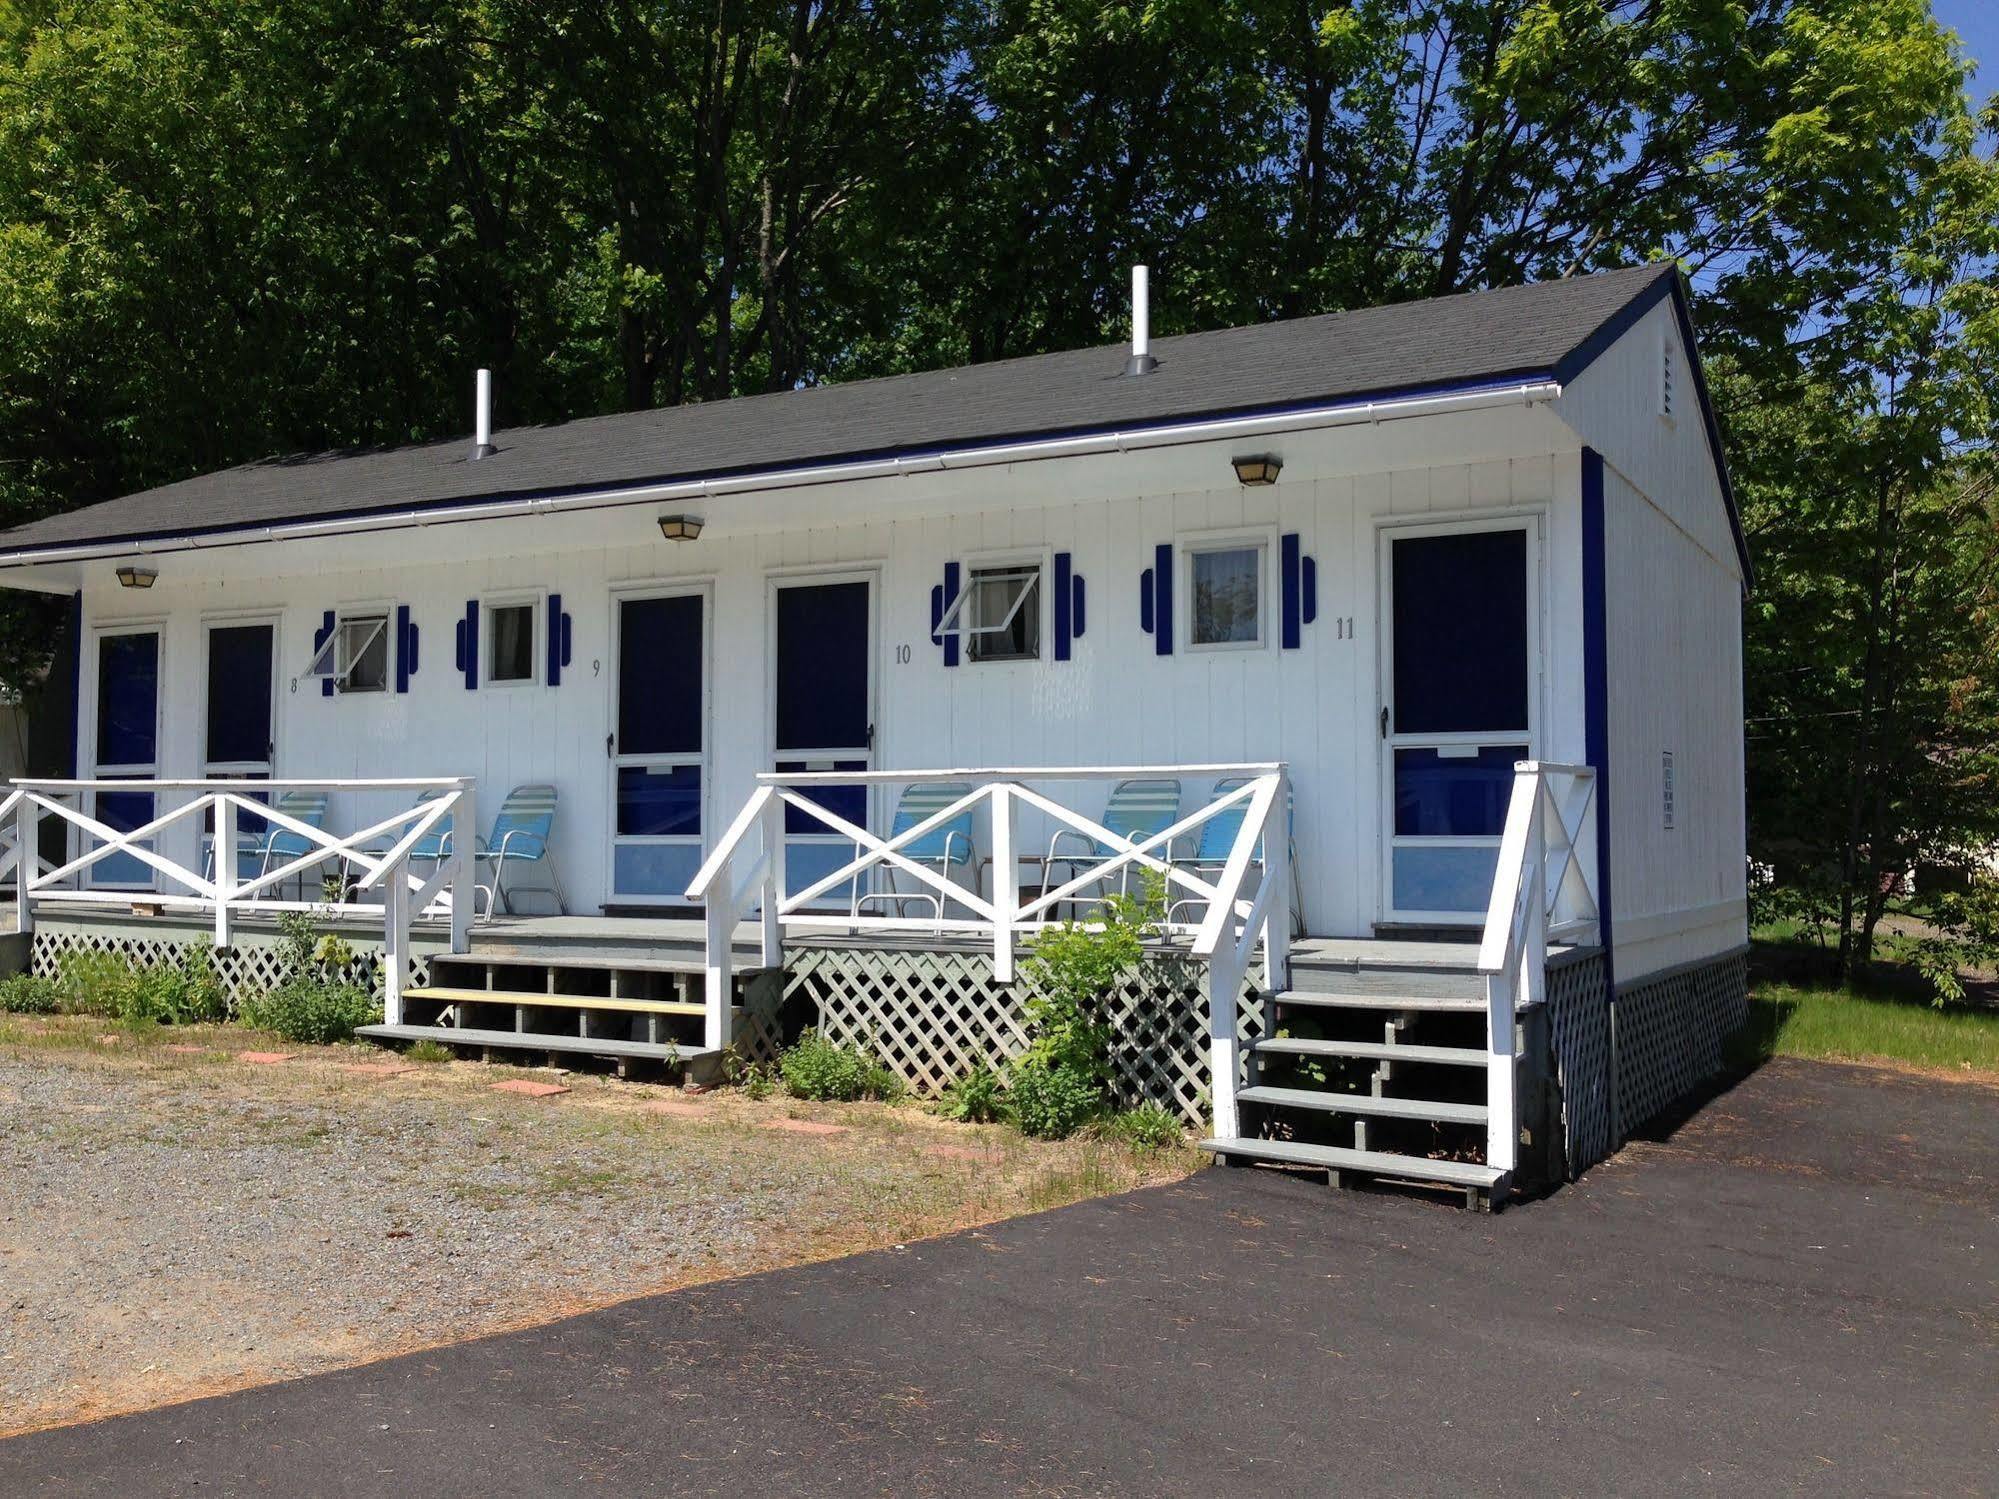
935	1016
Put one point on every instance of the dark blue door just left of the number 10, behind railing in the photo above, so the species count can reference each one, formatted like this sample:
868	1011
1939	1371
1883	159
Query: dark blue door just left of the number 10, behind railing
823	715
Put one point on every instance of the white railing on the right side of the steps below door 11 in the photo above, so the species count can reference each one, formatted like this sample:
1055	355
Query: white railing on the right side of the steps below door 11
1544	890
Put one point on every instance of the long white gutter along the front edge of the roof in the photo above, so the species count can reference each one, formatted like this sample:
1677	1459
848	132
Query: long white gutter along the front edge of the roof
791	479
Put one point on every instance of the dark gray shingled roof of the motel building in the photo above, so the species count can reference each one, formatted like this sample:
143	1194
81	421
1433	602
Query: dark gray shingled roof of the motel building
1458	341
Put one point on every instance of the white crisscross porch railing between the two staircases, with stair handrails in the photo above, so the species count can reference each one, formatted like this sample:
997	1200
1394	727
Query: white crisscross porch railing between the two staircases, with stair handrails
1238	910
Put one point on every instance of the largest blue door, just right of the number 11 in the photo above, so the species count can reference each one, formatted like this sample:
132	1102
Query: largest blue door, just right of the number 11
1460	683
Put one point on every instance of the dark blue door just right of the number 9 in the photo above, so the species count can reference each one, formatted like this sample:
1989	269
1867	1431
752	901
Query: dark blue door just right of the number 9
659	747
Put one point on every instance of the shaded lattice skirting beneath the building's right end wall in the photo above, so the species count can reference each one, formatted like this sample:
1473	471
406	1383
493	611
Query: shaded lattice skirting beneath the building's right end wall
1670	1030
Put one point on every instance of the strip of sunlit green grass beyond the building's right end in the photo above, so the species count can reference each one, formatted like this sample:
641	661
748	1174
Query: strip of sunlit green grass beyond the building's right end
1792	1020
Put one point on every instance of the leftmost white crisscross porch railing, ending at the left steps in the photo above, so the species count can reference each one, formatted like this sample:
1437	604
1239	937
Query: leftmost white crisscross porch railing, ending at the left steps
379	854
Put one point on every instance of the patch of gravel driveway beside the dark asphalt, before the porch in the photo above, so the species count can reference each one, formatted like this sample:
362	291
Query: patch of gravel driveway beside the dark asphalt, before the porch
185	1222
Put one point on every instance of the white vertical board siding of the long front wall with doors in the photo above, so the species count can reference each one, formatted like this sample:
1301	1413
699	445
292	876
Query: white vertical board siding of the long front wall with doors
1120	699
